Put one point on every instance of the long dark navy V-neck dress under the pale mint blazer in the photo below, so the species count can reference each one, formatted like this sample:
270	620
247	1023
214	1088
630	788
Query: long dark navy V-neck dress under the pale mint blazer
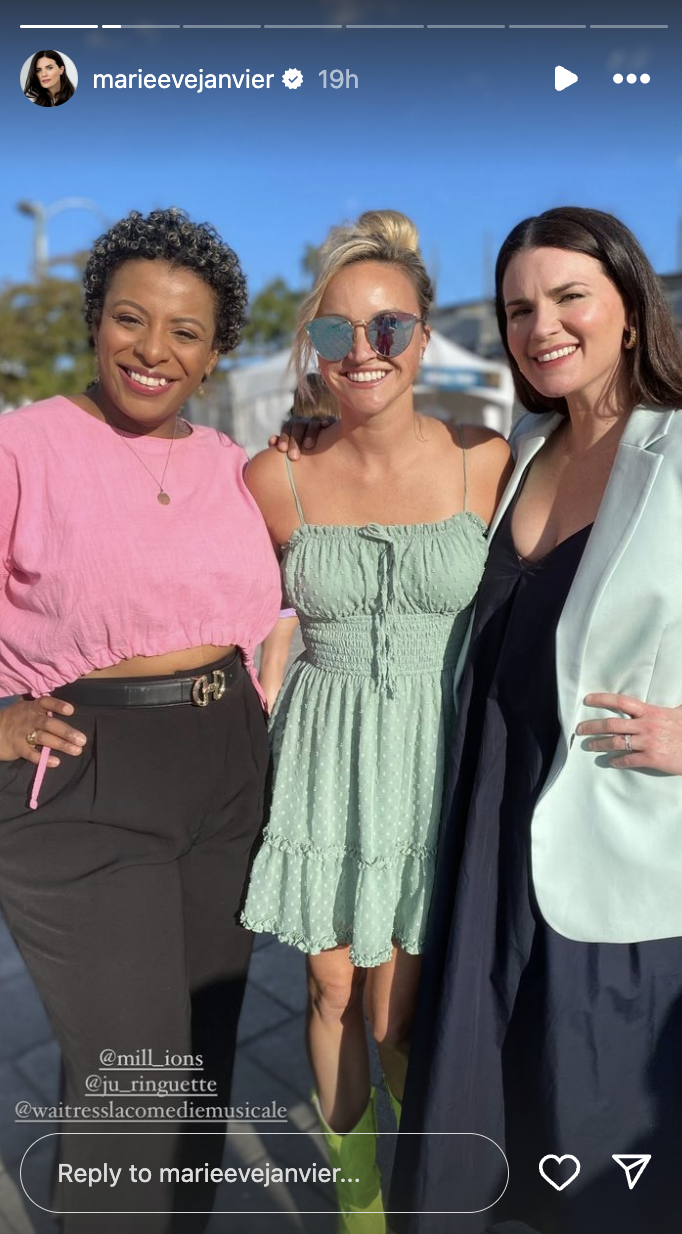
543	1045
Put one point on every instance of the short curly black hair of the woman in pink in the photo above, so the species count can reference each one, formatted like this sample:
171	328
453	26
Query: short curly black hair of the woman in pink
171	236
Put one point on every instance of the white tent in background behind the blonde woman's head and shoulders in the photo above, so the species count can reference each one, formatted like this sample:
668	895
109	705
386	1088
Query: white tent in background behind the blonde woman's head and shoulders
454	384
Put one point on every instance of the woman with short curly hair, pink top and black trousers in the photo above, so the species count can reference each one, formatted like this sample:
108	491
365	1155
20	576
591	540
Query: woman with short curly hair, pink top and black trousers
138	581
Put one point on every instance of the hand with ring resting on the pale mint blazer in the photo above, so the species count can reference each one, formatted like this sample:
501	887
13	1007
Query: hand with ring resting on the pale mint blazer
649	737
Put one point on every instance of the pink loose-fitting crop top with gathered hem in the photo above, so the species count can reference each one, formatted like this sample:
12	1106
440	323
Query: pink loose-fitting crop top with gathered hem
94	569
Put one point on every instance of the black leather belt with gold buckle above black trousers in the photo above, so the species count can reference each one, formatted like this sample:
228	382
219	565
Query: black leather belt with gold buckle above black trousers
200	689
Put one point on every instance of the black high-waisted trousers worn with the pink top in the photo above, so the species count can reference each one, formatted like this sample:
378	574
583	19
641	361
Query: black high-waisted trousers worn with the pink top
123	892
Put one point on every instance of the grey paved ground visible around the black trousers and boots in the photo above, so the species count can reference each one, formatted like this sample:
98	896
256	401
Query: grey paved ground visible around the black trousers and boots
272	1066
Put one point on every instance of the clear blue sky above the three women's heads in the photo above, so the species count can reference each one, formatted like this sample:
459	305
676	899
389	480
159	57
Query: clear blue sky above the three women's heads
463	130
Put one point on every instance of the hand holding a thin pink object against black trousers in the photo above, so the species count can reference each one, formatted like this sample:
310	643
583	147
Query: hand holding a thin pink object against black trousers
31	719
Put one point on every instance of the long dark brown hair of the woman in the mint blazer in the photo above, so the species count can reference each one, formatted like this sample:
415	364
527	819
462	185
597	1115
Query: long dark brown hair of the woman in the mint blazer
654	366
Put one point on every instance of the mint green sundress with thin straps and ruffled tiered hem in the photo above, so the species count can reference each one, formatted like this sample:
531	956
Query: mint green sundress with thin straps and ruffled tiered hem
361	732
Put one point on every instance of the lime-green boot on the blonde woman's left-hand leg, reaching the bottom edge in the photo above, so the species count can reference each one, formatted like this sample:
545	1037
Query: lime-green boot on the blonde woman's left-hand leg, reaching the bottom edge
358	1183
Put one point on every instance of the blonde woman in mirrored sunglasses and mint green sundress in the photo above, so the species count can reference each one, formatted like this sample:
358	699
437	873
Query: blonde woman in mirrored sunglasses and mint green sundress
384	544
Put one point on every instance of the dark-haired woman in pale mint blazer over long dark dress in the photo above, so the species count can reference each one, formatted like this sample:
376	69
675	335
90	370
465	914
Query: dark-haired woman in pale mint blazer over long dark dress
551	1008
